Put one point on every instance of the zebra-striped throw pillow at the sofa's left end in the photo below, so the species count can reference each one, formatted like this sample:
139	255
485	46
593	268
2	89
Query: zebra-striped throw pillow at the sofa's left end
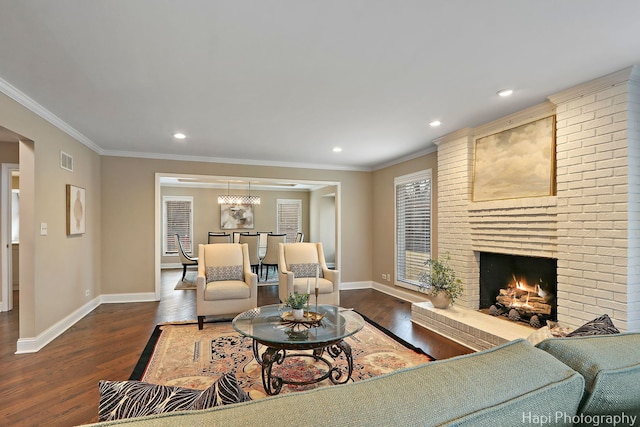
129	399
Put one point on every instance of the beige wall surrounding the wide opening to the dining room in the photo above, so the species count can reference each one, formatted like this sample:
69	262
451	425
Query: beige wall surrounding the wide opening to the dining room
128	215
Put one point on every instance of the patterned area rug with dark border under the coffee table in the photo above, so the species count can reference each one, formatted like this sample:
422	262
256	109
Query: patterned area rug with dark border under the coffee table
187	357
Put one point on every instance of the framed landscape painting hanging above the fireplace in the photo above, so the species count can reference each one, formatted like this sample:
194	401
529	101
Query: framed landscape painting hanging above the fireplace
516	163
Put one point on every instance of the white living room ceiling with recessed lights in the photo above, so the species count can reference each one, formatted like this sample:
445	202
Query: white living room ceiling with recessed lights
281	82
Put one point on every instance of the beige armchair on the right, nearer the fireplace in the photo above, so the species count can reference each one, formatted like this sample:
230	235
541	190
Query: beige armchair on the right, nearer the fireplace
297	264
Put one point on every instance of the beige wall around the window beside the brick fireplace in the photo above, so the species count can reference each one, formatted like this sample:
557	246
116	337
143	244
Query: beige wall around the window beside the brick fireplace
384	213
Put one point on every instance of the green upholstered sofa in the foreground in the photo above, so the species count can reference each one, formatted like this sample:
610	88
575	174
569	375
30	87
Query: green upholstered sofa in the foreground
559	382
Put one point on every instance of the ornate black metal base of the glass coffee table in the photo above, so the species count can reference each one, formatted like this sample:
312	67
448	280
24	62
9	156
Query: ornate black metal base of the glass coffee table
273	384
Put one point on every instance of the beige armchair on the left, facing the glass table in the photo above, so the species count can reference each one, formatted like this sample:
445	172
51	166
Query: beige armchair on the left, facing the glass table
225	282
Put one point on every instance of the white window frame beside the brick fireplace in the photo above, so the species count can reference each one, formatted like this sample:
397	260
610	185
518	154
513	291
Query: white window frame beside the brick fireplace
410	282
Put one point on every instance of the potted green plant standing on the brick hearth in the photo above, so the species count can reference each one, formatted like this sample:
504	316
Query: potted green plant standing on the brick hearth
439	282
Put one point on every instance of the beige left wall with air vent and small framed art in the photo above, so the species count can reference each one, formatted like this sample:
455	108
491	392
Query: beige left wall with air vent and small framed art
55	270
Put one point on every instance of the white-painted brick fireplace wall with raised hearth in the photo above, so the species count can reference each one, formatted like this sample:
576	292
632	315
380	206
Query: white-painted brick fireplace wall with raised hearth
591	226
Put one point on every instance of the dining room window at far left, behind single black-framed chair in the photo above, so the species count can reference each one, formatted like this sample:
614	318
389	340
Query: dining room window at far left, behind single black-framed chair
177	219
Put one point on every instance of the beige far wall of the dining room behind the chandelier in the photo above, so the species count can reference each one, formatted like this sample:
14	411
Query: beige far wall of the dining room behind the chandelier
206	215
